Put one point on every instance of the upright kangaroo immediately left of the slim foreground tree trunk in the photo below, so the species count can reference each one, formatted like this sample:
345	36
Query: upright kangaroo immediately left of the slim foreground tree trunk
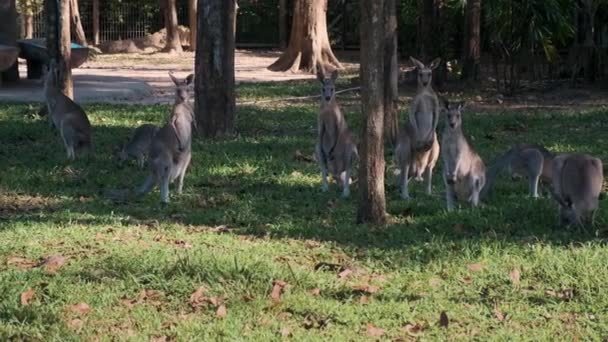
335	148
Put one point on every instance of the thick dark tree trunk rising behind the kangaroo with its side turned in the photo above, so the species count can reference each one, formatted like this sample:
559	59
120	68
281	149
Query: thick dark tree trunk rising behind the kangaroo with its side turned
214	68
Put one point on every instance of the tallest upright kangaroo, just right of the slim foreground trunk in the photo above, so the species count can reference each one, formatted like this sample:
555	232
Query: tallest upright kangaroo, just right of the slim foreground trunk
417	149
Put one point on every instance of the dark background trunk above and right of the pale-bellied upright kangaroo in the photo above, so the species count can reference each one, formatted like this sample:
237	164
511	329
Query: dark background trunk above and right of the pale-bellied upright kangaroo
471	51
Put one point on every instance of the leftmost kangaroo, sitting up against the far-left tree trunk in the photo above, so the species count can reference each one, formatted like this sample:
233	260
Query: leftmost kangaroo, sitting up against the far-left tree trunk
67	116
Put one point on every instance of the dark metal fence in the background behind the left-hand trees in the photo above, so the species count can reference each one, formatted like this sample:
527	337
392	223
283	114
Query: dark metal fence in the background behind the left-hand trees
257	21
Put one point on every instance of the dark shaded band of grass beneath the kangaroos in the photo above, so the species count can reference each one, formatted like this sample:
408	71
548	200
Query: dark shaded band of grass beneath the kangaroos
254	184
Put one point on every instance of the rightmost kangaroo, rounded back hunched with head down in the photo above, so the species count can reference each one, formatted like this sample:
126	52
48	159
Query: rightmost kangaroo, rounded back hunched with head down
577	183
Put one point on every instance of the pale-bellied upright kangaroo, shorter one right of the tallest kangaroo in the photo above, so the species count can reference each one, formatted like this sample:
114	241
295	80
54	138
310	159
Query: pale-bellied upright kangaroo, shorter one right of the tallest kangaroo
464	173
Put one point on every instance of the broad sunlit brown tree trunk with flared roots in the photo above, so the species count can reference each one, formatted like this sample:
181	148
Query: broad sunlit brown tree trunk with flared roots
309	41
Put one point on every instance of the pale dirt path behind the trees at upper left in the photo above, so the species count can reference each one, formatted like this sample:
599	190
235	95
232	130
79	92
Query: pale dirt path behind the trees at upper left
142	78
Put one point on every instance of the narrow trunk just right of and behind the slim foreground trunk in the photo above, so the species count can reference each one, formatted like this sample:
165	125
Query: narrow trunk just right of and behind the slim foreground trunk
391	73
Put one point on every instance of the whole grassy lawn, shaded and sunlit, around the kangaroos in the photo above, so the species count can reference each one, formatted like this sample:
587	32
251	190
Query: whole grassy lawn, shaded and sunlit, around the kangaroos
252	215
